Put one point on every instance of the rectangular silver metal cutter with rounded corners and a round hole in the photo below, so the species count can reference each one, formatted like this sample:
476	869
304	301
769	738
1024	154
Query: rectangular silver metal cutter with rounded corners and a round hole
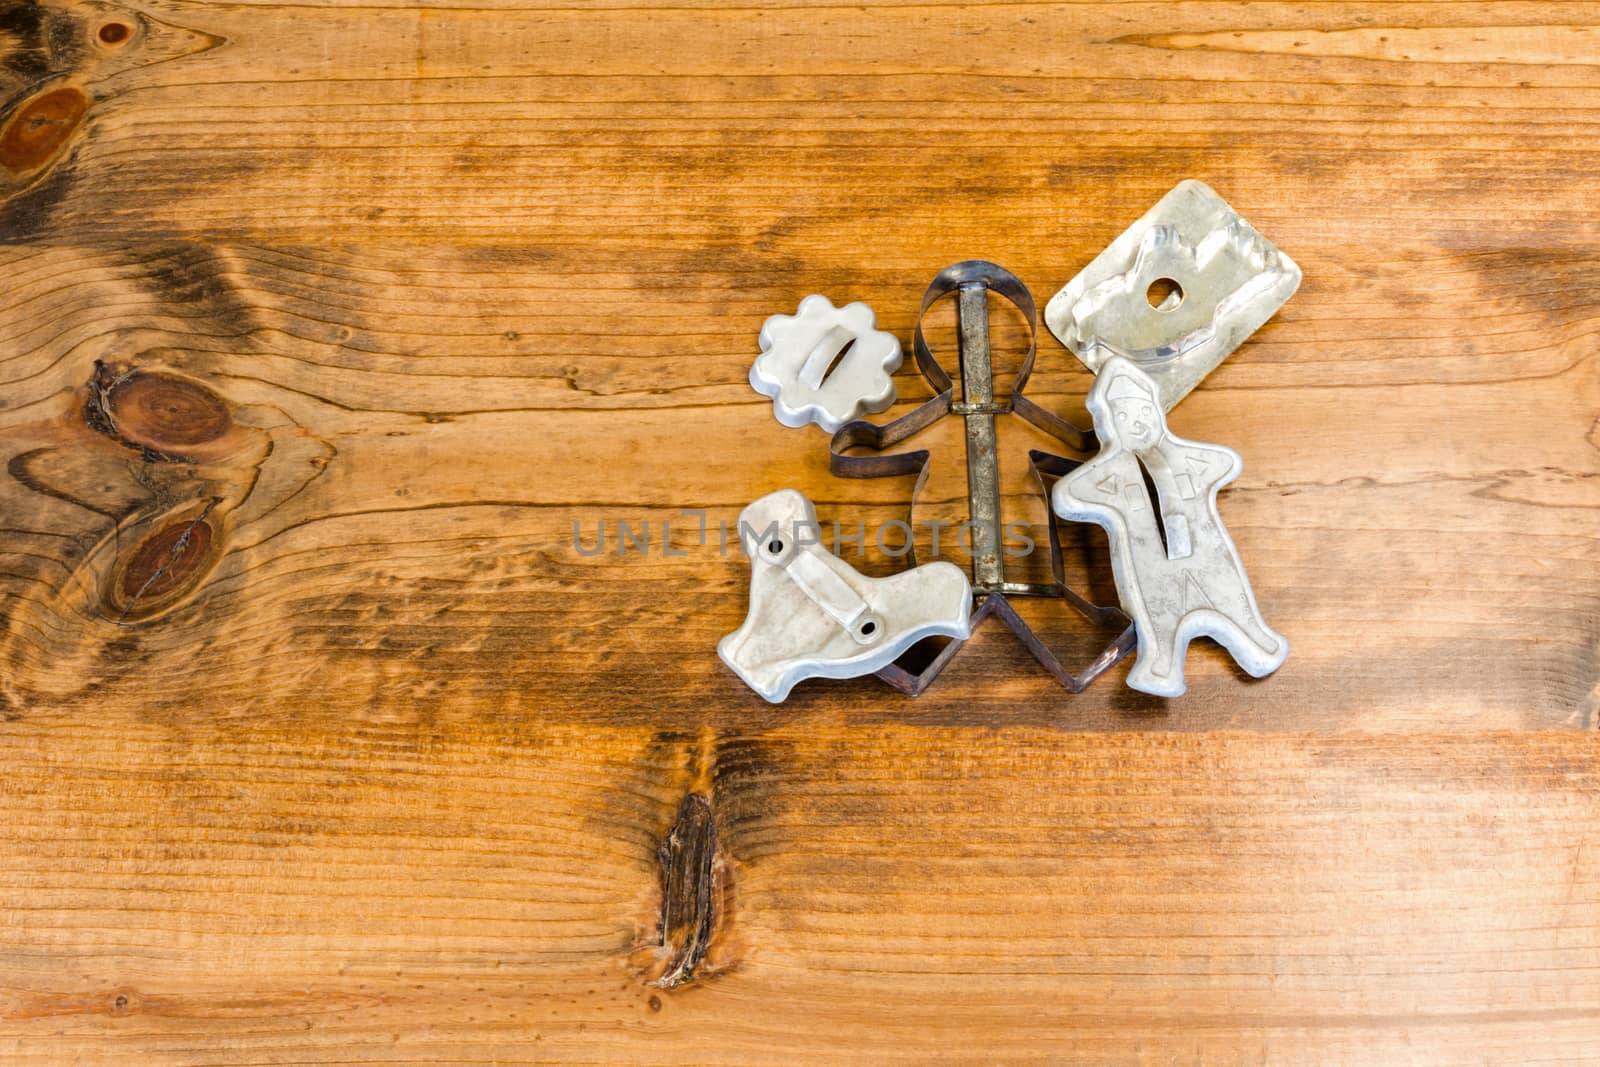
1175	294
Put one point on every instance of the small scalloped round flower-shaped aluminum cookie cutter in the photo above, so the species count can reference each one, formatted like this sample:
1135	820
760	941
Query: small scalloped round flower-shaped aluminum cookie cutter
826	366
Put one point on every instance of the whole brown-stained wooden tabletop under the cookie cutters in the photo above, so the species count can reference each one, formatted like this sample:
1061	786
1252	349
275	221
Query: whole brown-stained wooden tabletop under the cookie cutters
324	324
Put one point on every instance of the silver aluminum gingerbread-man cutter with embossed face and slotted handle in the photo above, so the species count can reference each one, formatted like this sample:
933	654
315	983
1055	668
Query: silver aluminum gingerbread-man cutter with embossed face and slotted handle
1177	570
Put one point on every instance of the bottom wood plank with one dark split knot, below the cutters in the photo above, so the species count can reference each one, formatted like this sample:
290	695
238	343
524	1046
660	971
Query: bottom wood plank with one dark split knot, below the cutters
214	892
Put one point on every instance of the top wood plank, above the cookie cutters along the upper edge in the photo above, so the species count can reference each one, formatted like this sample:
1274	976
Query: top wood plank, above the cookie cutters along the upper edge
834	135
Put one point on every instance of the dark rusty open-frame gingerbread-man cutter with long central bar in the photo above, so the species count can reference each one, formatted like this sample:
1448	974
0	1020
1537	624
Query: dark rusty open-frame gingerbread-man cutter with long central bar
972	281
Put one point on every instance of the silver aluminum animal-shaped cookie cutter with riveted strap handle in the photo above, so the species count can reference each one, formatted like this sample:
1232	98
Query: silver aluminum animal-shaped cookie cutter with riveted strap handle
815	617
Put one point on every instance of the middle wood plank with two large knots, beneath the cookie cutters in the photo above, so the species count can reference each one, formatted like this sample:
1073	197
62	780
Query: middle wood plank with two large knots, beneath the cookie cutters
414	447
